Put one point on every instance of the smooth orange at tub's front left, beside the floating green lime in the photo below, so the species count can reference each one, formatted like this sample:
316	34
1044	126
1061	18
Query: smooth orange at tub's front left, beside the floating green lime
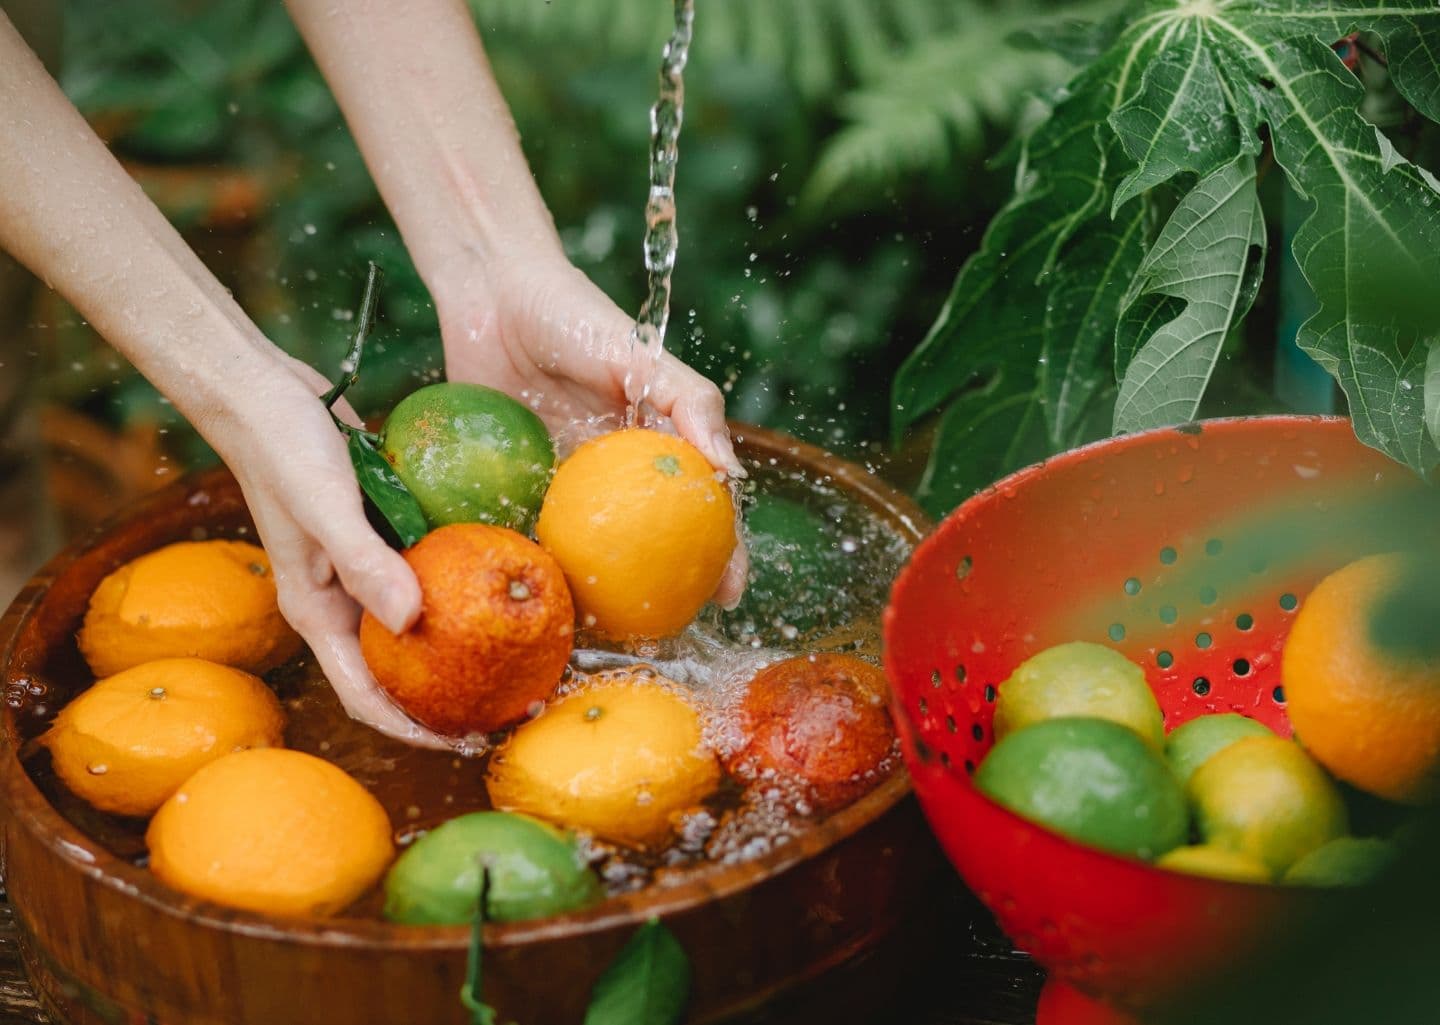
273	831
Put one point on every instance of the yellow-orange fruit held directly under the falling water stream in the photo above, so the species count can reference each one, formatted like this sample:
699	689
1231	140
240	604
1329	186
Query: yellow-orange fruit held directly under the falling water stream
643	529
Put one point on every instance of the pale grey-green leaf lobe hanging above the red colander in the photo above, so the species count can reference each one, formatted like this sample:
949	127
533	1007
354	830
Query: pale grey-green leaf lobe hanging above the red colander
1207	257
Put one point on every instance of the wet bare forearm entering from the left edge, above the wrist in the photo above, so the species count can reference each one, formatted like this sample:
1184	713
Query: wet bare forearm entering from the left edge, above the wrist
73	215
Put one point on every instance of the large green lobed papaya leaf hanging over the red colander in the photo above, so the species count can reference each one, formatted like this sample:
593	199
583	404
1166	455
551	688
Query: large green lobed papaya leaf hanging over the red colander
1186	94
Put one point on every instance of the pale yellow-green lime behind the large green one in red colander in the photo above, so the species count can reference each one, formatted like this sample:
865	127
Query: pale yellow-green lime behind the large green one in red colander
1079	680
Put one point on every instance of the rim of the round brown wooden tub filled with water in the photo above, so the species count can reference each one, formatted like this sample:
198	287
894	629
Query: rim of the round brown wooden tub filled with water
30	808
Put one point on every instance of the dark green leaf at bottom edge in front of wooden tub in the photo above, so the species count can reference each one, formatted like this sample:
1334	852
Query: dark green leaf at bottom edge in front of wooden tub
647	984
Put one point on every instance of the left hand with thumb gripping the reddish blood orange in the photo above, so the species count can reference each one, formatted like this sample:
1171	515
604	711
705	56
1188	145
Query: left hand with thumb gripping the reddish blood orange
296	474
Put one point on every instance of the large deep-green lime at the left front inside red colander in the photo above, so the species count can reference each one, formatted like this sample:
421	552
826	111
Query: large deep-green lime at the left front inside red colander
1091	780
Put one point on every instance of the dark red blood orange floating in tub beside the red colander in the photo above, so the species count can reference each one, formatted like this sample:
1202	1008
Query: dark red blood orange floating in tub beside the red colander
820	721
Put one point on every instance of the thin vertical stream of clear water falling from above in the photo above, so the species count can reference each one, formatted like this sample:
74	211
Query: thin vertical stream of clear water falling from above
662	238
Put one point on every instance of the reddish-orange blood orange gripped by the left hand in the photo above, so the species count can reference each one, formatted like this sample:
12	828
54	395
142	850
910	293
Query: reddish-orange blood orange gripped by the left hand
493	637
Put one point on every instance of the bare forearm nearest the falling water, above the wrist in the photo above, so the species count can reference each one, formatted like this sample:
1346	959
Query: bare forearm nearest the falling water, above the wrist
418	93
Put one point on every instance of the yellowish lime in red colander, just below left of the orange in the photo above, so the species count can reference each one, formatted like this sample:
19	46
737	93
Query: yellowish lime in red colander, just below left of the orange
1266	798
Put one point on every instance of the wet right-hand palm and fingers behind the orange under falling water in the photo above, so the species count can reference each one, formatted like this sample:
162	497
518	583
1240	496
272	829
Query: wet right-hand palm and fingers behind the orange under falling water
544	333
